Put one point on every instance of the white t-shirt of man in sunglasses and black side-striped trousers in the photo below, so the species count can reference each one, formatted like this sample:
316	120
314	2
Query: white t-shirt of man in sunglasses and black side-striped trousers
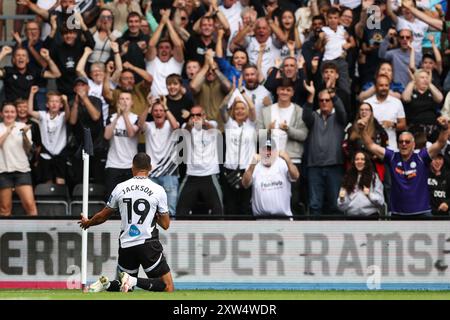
203	153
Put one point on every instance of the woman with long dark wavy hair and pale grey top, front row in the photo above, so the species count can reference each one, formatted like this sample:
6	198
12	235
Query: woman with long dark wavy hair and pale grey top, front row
361	193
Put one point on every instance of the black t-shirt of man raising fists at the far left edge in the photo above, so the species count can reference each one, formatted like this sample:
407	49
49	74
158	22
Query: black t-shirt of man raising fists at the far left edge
18	85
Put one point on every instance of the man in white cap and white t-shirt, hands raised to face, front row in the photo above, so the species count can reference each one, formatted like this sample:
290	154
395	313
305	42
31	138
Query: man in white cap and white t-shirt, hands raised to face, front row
271	174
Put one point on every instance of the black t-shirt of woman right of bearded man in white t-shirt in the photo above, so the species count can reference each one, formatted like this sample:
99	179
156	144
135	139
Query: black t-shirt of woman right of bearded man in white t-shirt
421	109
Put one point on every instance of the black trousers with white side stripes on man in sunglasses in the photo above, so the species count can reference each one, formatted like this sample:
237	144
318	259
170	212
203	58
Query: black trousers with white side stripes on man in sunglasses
200	190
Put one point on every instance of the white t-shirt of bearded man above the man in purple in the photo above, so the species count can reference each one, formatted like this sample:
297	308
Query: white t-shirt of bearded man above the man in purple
390	109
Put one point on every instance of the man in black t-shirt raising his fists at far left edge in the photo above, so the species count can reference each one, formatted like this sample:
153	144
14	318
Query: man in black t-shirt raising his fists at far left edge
19	78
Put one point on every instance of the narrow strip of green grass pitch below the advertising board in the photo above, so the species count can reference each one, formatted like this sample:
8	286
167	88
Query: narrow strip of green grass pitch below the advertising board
224	295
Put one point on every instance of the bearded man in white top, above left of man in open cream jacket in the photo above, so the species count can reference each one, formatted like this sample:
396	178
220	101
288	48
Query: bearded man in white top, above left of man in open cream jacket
258	93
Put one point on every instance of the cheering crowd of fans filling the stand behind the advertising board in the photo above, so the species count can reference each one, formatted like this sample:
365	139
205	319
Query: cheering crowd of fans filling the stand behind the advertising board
263	107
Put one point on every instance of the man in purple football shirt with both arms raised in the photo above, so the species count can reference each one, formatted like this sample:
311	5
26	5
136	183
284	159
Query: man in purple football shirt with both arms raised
409	170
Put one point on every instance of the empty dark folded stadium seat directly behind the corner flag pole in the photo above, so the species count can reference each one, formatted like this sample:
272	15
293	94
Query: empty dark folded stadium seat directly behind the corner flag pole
96	199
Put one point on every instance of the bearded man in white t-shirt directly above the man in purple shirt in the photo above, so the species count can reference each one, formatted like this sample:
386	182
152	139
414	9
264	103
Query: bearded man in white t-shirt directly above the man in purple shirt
388	110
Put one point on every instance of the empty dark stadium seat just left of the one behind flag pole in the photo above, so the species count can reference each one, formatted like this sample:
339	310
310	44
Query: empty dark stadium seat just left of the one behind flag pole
52	199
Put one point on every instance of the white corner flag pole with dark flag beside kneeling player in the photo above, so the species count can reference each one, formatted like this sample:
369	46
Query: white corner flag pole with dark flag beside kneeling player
87	151
